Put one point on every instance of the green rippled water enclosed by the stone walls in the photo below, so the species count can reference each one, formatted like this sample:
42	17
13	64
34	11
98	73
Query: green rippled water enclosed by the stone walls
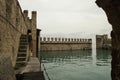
78	65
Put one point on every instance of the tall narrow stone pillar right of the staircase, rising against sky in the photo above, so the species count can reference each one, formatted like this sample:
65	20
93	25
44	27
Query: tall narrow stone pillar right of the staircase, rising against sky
34	31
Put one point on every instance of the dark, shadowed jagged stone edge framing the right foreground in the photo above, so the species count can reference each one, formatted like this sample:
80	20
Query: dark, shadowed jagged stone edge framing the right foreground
112	10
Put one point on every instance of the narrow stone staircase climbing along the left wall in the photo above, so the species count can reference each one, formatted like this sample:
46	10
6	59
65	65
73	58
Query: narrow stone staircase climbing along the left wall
22	51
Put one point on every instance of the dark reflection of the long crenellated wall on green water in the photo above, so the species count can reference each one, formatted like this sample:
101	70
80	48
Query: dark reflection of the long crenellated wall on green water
66	56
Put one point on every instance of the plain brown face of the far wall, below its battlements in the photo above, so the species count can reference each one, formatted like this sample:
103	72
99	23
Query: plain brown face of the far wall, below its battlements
63	46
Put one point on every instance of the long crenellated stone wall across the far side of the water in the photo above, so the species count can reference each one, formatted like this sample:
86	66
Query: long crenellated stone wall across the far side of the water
48	44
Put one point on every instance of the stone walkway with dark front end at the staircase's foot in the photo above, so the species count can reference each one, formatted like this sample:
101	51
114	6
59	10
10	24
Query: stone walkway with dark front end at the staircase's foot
31	71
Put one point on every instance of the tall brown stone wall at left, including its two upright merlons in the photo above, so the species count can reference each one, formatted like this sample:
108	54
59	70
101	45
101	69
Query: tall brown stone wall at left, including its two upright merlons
13	23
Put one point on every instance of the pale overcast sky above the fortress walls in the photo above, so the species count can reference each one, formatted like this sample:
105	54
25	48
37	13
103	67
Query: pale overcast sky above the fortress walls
68	16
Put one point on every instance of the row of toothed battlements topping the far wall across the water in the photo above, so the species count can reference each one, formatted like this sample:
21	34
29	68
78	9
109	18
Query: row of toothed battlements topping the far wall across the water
64	40
